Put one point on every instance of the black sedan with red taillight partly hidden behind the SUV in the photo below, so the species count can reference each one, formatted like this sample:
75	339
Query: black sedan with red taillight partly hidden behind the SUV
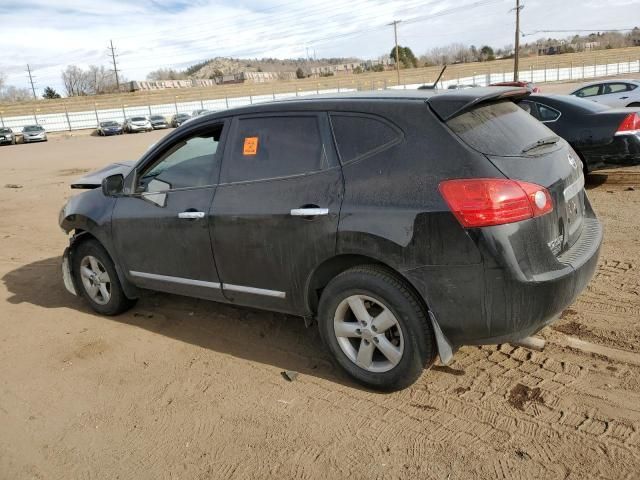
601	136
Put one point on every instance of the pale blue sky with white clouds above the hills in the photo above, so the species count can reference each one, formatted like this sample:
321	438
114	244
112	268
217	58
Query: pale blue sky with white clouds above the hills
149	34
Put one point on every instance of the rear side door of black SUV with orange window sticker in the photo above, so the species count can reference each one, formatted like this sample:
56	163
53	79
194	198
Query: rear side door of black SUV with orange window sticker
275	212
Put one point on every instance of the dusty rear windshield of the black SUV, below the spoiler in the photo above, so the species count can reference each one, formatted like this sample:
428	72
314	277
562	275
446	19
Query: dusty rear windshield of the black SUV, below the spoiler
500	128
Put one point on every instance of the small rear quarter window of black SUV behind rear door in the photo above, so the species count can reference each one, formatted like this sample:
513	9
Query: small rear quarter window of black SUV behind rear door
358	135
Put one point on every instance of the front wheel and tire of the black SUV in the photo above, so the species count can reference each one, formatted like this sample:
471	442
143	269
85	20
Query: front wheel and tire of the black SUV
108	298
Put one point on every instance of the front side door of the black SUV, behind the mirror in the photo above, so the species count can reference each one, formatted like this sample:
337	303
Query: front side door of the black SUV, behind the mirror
161	232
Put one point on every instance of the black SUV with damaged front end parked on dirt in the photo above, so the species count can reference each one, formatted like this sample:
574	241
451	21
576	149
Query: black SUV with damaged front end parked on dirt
407	223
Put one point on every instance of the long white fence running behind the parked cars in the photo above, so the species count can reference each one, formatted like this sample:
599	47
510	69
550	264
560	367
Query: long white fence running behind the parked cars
89	119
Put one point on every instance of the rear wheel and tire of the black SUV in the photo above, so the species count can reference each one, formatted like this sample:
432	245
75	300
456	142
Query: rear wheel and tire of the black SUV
382	293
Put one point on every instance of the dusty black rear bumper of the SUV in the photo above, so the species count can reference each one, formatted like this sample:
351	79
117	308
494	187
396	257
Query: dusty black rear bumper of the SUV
491	303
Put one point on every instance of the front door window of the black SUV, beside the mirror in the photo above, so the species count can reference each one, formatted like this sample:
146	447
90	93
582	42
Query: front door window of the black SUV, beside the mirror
188	163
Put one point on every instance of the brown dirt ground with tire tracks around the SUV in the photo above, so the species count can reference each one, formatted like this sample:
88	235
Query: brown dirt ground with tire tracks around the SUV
181	388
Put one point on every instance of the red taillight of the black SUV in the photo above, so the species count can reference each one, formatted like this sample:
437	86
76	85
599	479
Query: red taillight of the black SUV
480	202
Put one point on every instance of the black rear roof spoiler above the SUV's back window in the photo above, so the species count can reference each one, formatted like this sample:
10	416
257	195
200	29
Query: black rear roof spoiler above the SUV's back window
450	105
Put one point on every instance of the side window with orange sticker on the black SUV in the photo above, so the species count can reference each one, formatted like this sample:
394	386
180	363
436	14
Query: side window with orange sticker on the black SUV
272	147
